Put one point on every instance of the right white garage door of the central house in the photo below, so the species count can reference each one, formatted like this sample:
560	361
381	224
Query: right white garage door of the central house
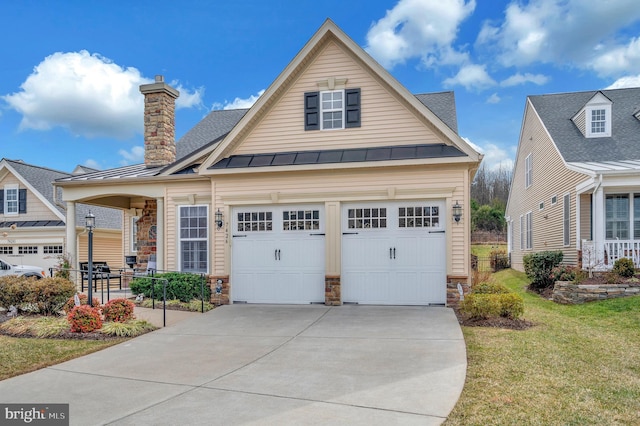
394	253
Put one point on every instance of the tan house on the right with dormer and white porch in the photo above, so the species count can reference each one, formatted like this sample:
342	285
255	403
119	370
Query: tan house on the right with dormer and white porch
576	183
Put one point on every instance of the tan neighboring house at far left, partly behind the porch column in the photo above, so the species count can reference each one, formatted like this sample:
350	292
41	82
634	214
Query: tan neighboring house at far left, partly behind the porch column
32	220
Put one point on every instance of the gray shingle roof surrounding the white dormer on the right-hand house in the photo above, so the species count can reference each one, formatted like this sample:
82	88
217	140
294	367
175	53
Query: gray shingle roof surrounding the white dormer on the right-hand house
556	111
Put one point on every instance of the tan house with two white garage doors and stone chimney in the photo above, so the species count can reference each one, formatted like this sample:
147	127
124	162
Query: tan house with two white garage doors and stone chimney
337	186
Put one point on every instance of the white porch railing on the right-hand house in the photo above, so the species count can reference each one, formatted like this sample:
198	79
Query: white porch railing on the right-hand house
611	251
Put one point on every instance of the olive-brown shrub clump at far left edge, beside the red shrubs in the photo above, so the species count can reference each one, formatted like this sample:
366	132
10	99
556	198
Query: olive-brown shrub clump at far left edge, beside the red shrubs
46	296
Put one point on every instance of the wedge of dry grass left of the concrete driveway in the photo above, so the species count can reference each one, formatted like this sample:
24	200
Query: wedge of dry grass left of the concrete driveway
22	355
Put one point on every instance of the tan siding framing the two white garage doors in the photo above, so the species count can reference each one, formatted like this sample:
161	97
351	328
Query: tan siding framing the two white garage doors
331	187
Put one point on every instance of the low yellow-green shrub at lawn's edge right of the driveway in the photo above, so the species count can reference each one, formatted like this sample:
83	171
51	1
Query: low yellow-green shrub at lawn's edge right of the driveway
484	306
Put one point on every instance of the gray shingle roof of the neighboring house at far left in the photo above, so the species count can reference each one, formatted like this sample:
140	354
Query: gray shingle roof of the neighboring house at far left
42	178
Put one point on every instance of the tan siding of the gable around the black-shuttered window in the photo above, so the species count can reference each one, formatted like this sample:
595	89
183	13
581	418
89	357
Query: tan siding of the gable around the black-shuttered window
385	120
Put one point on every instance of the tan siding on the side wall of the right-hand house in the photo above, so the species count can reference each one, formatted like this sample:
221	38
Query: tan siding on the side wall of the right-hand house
550	177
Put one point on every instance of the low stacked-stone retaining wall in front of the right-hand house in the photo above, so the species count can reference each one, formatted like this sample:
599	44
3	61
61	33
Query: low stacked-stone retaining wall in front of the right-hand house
570	294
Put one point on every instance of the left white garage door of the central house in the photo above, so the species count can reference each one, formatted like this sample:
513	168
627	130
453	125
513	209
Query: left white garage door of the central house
278	254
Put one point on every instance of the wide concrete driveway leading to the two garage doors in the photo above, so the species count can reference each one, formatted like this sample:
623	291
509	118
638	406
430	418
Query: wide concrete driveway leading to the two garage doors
265	364
